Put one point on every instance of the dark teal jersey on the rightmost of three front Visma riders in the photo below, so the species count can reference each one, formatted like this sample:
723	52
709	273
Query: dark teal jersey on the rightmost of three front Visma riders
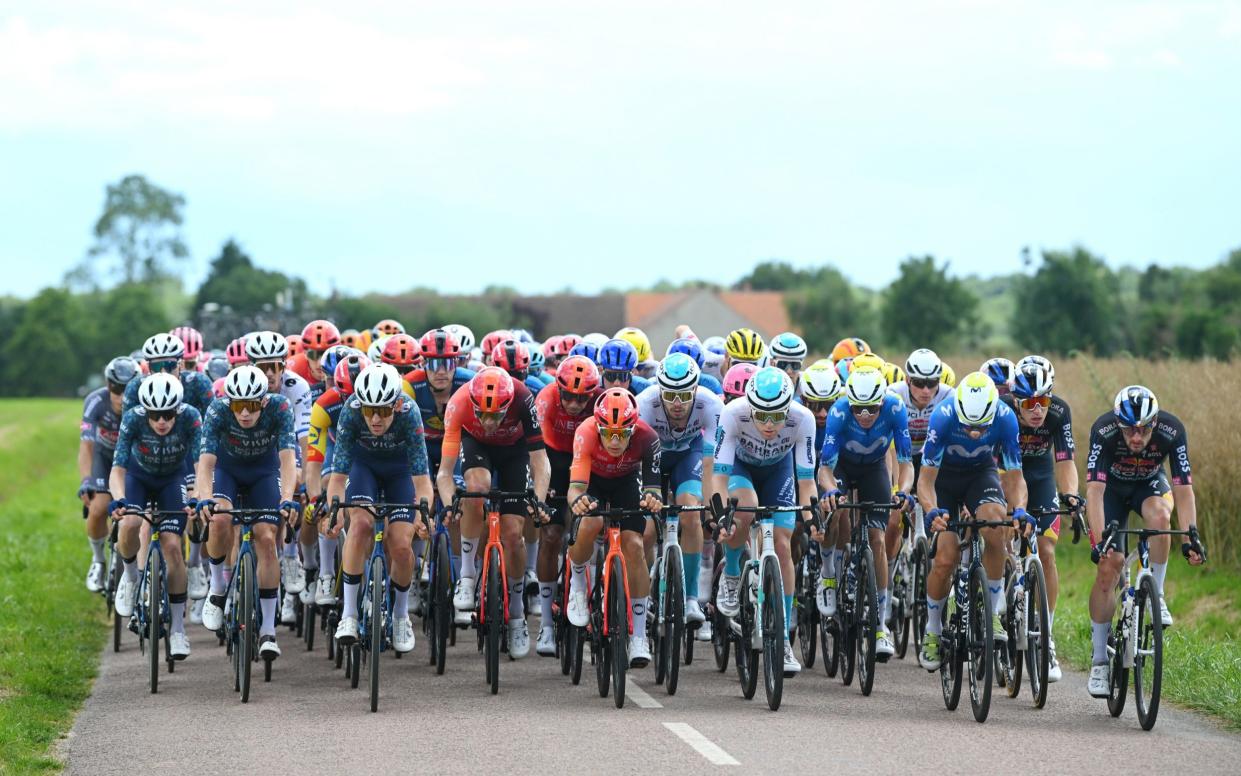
403	440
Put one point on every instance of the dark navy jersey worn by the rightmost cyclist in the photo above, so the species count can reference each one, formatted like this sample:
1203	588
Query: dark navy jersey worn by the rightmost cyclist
1113	461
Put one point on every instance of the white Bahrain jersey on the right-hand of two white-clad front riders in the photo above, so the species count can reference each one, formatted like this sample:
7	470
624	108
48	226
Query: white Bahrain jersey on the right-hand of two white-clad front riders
740	440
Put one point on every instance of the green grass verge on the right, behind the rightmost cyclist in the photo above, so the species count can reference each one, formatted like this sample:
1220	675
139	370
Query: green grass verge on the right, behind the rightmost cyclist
1202	652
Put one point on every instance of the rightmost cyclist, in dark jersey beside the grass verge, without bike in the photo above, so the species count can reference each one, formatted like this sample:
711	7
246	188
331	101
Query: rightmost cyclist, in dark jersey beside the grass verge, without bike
1125	472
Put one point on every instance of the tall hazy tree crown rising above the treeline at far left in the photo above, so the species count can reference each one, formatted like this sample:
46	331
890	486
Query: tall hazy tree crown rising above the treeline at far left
141	228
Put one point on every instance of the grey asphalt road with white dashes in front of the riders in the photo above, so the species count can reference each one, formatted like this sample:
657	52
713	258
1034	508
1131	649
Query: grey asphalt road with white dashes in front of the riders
310	721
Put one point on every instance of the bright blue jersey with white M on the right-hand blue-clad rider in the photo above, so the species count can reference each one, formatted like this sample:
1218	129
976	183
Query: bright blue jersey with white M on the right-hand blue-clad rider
949	443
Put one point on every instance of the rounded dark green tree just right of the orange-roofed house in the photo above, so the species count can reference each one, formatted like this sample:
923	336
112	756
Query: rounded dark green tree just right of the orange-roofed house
926	309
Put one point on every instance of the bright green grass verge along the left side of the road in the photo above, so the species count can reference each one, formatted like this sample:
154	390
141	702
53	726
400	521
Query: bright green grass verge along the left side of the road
52	629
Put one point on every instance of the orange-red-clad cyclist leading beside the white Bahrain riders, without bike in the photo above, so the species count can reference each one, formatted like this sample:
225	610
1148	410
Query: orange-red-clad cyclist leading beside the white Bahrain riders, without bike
616	462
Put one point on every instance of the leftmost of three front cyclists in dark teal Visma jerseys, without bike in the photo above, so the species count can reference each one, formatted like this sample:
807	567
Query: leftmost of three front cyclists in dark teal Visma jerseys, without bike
156	450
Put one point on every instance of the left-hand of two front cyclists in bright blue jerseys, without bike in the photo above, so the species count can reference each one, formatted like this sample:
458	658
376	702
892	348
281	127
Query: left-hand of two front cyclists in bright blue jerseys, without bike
861	428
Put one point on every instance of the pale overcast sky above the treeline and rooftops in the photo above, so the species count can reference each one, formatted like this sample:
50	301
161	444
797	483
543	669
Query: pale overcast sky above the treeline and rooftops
586	145
